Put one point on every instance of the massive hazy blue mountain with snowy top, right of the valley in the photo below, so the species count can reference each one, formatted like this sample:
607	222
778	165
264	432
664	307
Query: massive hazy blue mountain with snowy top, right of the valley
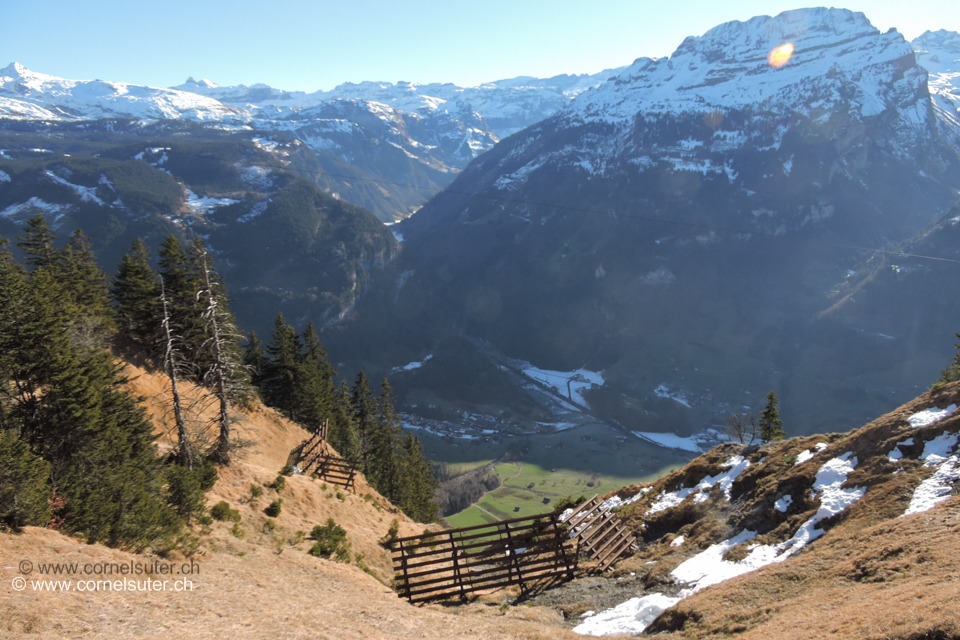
692	223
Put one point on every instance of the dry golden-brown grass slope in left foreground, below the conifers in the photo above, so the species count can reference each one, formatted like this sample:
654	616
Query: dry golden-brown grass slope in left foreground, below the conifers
263	585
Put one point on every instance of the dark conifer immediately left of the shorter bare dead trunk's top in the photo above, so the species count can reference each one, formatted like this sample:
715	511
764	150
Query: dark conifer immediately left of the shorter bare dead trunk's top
137	297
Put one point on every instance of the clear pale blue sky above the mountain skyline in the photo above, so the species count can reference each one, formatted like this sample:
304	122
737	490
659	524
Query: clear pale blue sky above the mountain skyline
304	45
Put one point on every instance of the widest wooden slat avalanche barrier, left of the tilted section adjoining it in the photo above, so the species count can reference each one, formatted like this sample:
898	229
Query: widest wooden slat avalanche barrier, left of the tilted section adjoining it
530	552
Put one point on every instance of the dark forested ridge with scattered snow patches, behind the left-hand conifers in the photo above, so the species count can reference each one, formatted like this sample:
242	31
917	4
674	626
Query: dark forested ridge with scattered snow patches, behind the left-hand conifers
278	240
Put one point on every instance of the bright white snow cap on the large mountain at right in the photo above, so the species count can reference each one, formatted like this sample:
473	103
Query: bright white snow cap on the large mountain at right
728	68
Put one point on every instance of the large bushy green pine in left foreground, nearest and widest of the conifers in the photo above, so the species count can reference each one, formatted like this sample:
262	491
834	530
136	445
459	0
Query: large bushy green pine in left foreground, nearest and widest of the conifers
75	414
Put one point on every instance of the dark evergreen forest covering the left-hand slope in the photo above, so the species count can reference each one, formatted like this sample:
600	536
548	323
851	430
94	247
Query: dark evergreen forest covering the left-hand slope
78	451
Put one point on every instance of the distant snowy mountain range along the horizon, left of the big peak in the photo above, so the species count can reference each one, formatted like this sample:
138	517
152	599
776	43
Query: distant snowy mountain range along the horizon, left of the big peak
373	126
